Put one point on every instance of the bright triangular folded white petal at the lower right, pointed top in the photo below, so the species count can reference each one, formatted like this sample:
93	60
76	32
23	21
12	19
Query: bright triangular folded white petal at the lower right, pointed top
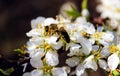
90	63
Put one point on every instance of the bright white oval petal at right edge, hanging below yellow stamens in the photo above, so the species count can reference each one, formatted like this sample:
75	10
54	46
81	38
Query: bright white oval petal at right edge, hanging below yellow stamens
113	61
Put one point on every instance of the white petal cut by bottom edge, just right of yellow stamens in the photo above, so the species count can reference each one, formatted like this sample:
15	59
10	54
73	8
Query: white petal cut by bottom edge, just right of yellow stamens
59	72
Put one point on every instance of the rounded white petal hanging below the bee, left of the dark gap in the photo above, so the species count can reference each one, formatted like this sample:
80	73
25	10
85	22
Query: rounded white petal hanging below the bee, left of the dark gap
52	58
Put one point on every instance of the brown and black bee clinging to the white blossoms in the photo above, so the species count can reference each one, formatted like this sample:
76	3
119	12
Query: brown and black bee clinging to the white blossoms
53	29
